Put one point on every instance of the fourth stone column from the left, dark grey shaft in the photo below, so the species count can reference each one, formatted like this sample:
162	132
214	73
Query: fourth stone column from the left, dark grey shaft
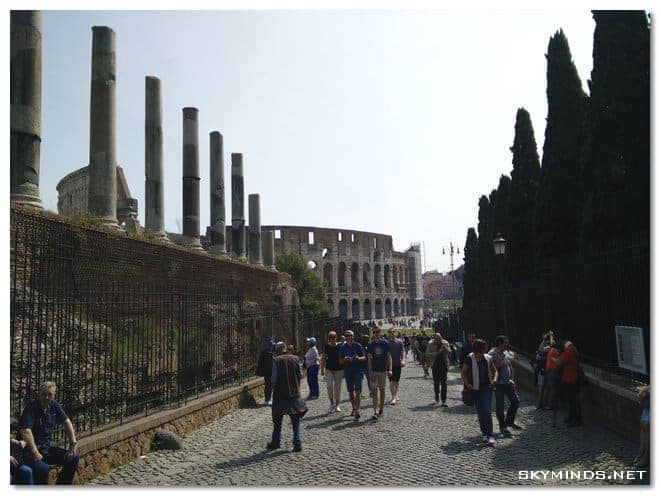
191	180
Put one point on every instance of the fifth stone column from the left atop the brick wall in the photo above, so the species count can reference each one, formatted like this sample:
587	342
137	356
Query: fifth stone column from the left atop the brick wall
217	200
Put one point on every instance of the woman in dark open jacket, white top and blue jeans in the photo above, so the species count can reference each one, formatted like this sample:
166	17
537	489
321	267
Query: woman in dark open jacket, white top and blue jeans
480	375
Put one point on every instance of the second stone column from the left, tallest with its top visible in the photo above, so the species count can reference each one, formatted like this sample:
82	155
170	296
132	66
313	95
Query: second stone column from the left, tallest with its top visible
102	189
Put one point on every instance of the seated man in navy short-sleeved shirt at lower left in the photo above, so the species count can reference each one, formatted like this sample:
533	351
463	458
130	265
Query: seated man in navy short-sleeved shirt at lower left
37	424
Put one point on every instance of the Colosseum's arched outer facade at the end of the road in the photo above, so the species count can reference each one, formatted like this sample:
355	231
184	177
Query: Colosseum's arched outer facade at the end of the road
365	278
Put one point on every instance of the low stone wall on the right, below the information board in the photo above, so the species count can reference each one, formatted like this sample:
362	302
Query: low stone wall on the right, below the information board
602	403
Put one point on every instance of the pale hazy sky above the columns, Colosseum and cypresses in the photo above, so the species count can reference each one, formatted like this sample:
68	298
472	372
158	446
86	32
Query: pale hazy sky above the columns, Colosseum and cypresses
387	121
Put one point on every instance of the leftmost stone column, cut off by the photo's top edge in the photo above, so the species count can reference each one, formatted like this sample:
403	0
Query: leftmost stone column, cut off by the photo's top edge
25	106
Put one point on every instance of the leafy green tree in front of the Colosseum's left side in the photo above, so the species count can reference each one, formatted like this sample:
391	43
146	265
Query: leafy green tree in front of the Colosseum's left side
310	287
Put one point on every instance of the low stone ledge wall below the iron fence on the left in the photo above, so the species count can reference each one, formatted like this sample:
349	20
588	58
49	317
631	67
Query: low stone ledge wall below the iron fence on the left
119	445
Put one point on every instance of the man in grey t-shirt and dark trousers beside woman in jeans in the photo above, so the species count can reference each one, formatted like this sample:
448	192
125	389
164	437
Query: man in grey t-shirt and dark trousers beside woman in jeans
505	386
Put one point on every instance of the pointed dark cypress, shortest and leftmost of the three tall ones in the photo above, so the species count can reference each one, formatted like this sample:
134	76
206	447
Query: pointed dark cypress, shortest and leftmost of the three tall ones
523	194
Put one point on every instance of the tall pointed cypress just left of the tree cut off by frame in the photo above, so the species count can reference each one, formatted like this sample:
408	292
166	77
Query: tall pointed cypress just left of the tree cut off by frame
560	197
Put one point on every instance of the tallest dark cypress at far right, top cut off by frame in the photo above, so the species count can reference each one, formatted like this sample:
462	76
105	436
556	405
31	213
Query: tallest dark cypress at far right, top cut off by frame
617	163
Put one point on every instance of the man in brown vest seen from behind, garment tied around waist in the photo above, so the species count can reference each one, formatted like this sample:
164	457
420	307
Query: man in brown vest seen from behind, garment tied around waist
286	380
